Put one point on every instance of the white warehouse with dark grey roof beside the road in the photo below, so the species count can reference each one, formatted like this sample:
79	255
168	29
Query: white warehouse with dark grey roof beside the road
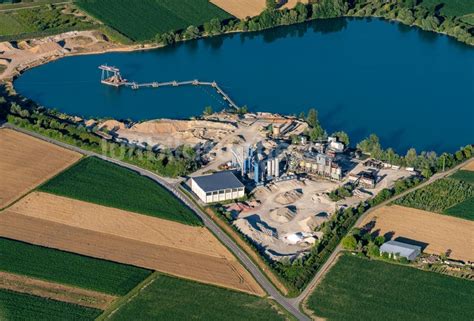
217	187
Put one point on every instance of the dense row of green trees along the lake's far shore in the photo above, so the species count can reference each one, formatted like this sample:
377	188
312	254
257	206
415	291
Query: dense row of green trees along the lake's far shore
410	12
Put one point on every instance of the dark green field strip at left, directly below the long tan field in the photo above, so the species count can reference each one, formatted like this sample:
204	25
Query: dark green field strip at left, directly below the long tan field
68	268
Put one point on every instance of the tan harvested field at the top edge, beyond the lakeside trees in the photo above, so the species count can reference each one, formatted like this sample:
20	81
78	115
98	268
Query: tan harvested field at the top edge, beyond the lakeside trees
249	8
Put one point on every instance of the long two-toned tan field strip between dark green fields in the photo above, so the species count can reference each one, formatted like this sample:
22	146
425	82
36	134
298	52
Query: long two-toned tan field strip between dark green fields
97	231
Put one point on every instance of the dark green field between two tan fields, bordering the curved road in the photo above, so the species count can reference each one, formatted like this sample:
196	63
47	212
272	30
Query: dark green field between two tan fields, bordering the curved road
97	181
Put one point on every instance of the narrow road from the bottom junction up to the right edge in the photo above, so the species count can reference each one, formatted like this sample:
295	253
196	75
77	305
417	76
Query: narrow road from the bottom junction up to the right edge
298	300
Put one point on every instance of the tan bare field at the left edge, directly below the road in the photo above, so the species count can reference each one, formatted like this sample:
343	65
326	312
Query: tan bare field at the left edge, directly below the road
26	162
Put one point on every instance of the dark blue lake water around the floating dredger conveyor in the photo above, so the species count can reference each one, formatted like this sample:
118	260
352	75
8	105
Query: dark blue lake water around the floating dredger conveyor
411	88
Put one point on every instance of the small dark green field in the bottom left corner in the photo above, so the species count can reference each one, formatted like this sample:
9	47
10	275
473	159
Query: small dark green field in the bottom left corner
22	307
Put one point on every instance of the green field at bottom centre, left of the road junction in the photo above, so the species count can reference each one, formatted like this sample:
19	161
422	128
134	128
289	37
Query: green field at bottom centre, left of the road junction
175	299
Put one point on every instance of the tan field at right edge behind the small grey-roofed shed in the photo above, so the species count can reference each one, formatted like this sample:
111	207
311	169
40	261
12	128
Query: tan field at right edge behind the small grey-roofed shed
440	232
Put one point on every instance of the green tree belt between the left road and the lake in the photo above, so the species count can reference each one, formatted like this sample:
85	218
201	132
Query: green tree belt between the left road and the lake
171	163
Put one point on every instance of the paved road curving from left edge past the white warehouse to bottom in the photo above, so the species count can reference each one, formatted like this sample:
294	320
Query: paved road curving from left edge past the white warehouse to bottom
288	304
